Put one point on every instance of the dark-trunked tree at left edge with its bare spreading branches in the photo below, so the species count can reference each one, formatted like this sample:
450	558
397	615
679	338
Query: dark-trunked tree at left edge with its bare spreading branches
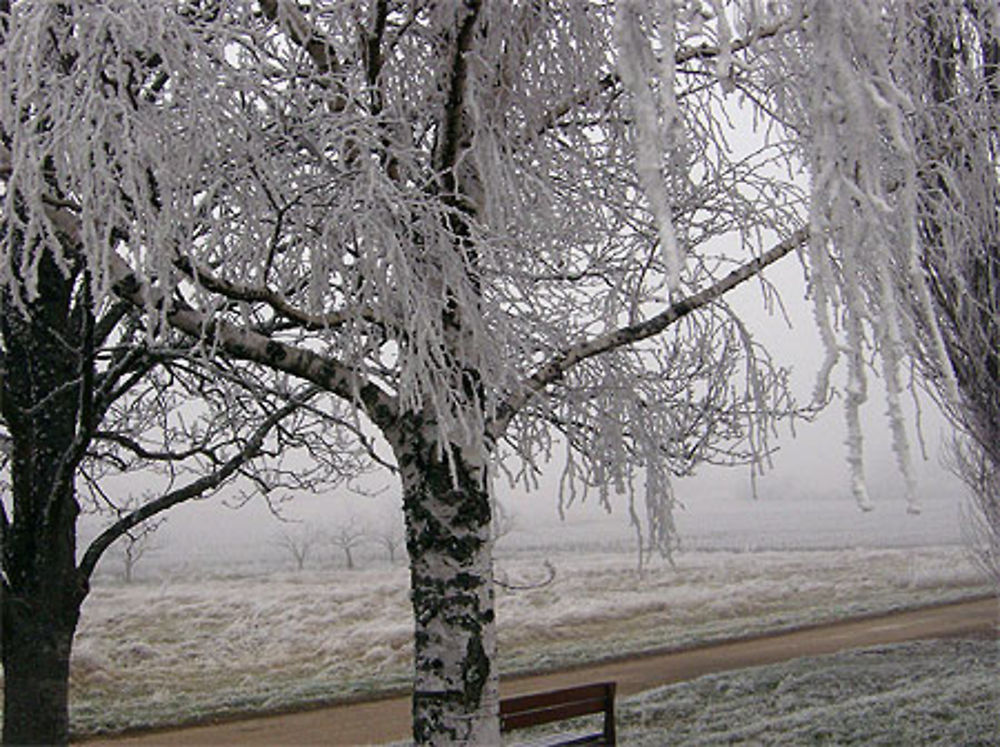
170	426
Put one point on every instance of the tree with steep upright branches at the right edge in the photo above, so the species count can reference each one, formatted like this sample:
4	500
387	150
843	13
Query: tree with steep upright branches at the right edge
953	69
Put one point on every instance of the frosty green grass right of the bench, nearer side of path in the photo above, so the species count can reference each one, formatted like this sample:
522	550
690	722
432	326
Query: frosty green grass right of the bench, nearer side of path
942	692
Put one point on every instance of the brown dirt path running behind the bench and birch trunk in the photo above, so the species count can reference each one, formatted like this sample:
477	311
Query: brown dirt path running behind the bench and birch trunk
388	720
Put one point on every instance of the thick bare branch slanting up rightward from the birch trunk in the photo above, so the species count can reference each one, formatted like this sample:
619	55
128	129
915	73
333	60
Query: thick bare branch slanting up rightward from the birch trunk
563	361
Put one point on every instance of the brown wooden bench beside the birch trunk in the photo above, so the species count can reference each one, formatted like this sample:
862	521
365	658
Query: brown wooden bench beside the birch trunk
536	709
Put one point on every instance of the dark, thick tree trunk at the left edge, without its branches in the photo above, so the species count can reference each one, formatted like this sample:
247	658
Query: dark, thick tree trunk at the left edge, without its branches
42	391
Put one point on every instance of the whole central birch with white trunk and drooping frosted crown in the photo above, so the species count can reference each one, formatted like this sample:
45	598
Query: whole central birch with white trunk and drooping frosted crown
498	231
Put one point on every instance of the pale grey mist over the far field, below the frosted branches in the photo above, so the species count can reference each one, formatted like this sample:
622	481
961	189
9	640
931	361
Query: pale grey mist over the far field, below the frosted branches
802	503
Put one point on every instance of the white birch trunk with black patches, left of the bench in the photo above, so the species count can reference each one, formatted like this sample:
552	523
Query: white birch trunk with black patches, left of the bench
447	508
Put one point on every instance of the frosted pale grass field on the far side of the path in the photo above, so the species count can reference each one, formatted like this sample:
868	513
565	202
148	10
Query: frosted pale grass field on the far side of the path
178	650
